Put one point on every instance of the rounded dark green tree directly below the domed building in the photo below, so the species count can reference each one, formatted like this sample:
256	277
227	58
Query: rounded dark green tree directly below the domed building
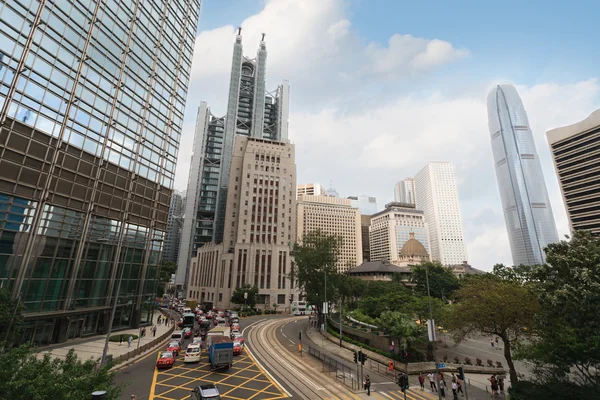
442	282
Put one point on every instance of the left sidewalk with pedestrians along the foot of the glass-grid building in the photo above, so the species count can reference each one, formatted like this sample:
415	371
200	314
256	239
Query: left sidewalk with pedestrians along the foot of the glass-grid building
93	347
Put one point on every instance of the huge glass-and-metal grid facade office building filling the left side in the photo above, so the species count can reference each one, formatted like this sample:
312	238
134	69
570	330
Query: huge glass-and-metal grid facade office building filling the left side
92	96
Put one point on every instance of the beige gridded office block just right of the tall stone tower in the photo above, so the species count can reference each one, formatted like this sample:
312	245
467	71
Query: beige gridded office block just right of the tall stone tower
336	217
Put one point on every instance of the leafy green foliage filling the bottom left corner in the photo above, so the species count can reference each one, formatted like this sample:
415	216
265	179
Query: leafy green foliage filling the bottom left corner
24	376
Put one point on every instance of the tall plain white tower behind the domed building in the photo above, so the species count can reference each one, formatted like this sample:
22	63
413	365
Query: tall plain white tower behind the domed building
437	196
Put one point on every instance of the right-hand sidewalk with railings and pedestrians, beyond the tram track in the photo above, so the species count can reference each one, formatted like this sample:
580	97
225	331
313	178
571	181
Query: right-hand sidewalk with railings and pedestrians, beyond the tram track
381	377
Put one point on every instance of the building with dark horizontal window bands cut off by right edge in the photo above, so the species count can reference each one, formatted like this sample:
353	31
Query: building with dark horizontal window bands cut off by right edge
576	156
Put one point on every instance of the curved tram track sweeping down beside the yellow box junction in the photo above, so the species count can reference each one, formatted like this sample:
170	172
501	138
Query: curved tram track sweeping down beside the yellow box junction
303	380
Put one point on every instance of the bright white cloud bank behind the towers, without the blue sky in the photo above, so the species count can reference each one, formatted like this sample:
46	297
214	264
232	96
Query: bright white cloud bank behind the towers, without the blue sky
351	125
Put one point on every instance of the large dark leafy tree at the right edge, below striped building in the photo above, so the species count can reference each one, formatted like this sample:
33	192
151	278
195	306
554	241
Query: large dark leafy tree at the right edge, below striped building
566	344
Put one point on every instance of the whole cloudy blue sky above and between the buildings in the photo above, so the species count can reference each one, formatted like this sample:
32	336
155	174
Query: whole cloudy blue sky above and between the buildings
381	87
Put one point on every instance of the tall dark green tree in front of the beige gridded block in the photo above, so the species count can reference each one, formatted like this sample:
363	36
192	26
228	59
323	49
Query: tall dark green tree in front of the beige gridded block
316	267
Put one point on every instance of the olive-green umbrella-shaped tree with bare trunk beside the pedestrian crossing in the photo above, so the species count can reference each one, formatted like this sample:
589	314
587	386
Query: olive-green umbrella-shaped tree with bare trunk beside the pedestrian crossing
489	305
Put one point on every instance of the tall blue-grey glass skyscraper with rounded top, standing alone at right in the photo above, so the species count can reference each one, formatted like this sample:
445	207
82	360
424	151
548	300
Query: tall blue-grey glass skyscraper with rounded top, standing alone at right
527	211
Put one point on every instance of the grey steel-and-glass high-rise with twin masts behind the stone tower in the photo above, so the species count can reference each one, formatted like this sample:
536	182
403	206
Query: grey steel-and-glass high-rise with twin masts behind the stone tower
251	111
